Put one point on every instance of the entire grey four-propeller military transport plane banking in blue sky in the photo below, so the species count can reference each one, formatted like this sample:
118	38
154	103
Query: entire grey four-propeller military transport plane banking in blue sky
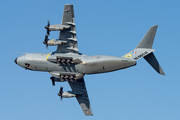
67	64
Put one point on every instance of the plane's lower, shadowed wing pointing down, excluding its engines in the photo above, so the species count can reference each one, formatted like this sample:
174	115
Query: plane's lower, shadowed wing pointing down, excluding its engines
82	98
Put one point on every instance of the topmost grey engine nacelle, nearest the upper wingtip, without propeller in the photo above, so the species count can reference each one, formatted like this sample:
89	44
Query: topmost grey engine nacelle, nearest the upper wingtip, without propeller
58	27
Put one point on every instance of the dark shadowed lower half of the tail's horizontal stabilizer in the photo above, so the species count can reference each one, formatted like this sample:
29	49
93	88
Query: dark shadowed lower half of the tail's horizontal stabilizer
151	59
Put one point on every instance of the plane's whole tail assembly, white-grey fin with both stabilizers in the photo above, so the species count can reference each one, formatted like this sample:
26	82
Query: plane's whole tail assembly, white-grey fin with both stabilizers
144	49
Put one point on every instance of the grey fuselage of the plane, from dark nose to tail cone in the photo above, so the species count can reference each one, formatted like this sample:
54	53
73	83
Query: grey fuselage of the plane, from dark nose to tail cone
90	64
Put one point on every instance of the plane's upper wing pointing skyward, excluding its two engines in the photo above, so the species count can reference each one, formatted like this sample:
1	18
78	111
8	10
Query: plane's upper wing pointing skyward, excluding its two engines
68	34
